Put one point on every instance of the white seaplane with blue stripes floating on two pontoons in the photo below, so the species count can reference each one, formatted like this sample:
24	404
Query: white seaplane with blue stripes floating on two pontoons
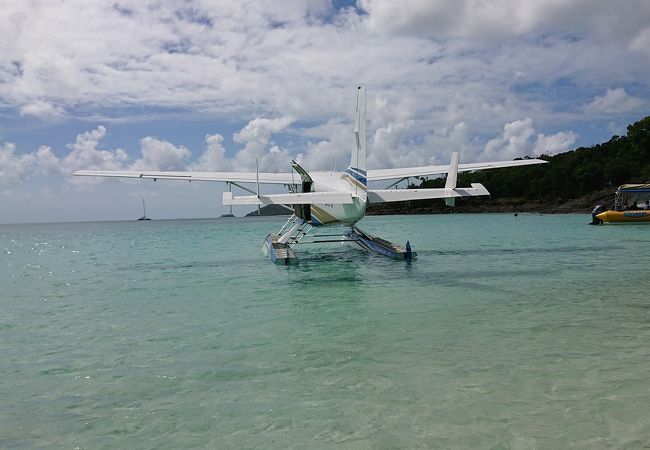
326	199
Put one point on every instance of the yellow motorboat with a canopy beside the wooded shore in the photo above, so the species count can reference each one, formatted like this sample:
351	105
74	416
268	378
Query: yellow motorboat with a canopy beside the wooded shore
629	203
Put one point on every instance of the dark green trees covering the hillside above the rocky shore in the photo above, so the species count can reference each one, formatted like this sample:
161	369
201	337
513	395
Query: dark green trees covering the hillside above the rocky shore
623	159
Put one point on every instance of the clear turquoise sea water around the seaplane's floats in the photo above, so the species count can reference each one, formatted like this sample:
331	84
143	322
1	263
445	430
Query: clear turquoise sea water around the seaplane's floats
507	332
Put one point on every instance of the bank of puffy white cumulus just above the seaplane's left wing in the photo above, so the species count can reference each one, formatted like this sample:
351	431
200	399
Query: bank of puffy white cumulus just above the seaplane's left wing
86	153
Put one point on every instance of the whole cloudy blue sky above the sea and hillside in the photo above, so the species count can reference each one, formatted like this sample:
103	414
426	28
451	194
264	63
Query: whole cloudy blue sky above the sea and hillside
217	85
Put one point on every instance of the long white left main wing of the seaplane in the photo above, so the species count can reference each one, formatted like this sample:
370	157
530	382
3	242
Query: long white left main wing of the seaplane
234	177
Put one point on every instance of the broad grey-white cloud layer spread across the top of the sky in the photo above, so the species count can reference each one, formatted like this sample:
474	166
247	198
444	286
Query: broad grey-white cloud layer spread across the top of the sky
288	59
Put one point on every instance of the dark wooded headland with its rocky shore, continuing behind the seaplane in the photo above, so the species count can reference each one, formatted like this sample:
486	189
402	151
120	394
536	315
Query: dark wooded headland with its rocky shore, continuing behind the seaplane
574	181
